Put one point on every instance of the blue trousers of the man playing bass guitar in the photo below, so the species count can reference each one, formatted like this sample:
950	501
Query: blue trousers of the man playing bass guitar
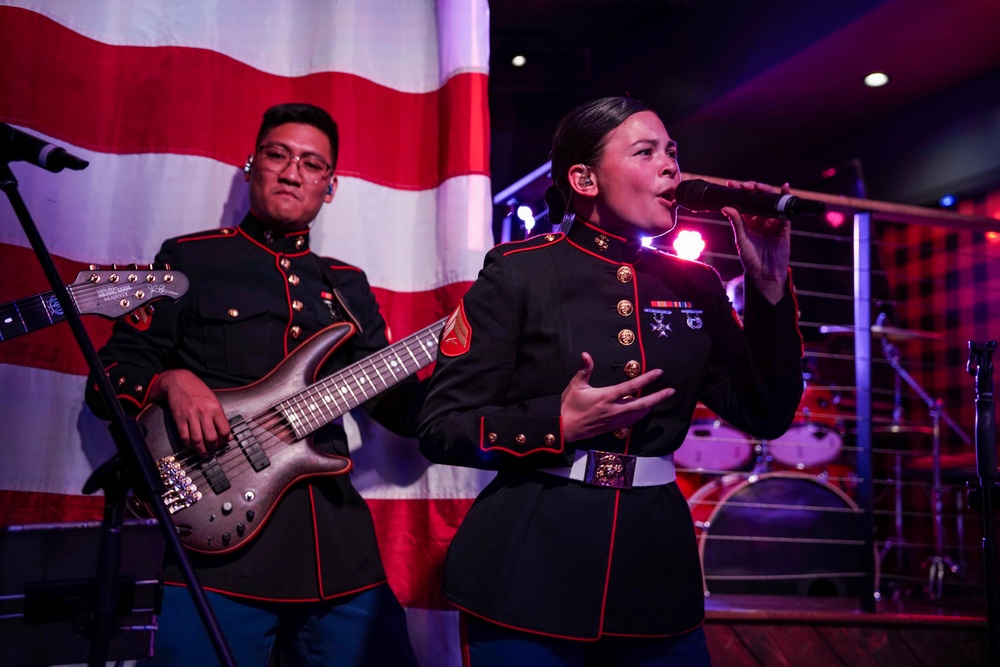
362	630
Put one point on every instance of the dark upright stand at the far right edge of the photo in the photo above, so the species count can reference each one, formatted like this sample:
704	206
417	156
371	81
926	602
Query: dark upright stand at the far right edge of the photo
981	367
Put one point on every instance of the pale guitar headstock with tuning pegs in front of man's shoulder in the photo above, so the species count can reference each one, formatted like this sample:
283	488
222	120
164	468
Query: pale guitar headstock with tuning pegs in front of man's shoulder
119	291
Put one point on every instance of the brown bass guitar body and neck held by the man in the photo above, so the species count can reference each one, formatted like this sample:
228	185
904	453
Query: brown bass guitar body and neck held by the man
220	502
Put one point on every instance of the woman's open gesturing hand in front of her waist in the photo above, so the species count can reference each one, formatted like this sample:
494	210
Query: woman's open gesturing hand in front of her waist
589	411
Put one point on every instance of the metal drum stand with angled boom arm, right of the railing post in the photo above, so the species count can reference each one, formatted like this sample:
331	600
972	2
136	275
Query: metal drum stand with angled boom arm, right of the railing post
937	563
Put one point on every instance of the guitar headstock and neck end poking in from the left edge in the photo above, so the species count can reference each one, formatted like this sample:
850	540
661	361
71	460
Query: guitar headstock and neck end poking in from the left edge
110	294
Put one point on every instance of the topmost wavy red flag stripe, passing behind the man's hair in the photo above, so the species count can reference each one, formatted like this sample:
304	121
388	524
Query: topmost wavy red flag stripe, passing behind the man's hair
199	102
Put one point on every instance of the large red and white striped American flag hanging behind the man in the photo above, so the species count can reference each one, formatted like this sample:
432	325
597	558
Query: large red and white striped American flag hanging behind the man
164	98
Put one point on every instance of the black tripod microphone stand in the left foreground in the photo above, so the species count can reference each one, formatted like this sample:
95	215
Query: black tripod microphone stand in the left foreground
132	464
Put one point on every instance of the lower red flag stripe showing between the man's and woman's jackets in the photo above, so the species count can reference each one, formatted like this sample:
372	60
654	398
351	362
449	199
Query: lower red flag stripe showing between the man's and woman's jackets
413	536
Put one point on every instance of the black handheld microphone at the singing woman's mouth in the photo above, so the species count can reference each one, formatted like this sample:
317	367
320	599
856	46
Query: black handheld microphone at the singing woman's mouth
699	195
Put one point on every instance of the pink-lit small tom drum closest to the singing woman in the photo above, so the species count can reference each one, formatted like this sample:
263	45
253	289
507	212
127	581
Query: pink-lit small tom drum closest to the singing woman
712	446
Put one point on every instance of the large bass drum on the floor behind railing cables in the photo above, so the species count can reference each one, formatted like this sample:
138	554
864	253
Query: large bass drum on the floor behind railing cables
779	534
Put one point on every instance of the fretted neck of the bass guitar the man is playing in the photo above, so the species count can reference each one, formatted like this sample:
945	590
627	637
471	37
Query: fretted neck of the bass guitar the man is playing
322	402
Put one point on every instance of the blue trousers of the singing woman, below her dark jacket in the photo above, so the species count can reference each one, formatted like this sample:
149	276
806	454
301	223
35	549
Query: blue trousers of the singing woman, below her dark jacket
490	645
